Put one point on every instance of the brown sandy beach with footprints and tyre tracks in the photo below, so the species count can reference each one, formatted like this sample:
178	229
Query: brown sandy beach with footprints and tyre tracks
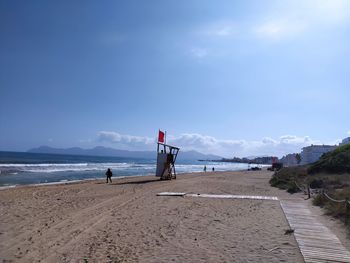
126	222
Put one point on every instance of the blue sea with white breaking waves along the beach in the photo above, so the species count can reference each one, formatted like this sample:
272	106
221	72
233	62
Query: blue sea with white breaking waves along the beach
21	168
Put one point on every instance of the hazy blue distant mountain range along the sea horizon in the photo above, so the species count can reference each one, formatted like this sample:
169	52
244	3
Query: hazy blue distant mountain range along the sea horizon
105	151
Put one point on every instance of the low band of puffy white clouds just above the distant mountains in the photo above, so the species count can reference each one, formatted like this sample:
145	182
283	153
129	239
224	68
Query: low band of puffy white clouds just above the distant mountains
211	145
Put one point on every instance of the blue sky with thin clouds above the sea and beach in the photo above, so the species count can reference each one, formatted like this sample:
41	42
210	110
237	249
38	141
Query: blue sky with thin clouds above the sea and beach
234	78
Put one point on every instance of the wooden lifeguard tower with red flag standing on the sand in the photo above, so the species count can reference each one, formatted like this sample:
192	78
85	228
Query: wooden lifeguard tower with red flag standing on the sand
166	157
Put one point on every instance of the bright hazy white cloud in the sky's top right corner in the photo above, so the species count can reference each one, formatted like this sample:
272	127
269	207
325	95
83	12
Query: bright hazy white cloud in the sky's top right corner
293	18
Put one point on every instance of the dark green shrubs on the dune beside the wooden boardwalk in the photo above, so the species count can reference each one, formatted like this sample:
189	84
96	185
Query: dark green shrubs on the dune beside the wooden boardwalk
331	173
